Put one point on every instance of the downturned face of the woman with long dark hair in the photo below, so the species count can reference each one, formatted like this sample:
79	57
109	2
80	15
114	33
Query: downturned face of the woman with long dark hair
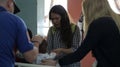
56	19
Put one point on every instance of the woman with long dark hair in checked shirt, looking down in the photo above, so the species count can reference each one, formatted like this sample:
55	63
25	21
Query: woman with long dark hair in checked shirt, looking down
63	37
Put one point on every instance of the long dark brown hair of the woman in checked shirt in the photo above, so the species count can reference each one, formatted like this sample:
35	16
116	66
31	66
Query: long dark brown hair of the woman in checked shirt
65	29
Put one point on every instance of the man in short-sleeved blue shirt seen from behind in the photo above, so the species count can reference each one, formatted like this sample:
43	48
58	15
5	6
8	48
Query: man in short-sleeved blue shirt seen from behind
13	34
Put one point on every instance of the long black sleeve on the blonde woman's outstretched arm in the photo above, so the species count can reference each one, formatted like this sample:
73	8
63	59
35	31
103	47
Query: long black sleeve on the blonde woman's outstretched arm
90	42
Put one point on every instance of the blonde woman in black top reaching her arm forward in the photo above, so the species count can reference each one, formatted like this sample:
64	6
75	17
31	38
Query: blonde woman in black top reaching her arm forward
102	36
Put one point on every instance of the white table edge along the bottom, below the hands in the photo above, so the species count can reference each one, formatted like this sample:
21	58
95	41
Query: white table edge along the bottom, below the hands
30	65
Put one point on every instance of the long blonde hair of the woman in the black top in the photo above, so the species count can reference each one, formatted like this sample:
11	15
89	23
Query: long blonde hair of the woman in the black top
94	9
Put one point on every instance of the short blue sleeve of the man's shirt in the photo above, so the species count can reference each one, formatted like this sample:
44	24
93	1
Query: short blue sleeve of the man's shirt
22	41
